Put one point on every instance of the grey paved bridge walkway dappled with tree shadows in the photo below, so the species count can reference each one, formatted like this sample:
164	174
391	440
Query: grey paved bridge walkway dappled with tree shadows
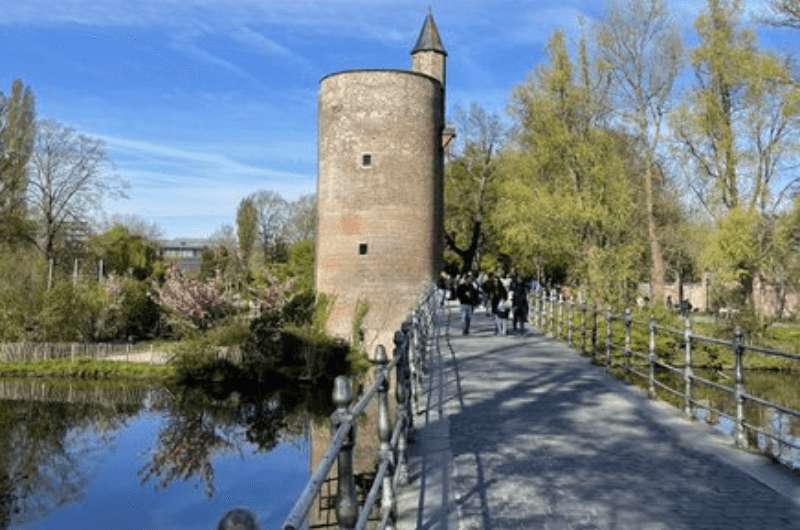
523	432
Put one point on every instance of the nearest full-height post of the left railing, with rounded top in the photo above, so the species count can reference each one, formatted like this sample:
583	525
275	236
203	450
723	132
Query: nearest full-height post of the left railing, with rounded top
346	503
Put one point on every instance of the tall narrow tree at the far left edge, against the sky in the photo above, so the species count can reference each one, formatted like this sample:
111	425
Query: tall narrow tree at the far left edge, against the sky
16	145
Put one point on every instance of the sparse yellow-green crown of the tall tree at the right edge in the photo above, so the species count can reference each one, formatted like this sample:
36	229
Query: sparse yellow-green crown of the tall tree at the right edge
739	125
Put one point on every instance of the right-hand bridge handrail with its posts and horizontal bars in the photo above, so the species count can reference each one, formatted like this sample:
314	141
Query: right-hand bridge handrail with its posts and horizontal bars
549	307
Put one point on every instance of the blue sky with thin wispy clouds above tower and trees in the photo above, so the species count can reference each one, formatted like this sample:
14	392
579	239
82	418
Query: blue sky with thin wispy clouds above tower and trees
201	102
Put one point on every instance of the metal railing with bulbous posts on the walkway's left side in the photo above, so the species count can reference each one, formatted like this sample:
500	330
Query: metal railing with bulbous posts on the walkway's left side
411	345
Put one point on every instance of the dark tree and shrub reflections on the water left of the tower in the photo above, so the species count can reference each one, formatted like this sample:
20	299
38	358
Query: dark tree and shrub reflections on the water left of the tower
47	447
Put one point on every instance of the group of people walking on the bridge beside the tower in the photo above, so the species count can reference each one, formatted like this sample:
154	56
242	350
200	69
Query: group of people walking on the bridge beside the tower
505	296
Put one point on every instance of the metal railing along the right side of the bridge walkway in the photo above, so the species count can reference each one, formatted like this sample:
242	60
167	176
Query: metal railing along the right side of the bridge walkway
548	316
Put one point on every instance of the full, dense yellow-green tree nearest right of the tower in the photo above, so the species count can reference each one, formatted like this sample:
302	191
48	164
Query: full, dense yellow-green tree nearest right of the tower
568	197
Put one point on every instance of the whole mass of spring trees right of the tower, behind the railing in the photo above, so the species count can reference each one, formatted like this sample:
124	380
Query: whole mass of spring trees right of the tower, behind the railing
630	159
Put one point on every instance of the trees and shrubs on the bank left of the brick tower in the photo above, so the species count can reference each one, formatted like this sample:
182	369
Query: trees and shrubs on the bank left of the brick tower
70	276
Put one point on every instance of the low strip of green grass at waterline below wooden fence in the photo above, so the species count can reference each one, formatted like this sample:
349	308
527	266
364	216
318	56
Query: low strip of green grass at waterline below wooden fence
86	369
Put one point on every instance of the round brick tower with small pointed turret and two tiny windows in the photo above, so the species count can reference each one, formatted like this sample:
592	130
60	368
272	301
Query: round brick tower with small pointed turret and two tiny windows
379	189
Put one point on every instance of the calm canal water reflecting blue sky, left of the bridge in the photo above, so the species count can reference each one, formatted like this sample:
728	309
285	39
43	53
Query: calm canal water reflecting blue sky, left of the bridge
139	457
